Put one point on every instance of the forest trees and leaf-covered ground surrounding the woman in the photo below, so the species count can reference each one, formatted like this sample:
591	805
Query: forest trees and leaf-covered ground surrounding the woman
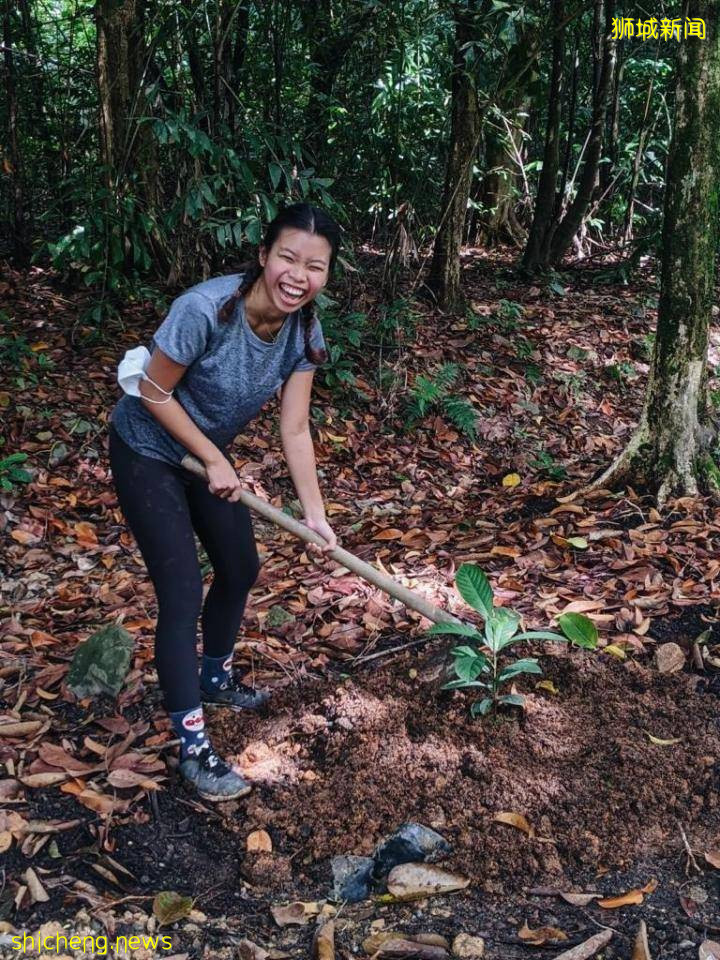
522	375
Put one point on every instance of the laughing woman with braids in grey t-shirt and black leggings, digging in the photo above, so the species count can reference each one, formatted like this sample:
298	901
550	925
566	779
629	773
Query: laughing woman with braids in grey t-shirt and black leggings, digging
224	348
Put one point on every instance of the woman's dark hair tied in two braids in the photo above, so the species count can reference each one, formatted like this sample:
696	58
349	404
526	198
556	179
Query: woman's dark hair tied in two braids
298	216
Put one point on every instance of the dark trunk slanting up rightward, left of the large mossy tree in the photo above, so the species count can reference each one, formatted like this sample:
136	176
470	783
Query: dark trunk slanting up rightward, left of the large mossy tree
570	224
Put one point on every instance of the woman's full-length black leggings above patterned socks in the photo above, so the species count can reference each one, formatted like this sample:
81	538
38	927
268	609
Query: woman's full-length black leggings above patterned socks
163	505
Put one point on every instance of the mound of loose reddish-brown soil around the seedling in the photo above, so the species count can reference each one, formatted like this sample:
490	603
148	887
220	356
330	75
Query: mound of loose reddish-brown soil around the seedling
344	768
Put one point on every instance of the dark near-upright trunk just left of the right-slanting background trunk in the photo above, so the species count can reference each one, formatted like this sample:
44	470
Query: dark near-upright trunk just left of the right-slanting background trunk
544	204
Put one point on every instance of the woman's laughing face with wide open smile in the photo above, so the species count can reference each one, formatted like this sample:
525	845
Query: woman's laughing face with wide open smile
295	269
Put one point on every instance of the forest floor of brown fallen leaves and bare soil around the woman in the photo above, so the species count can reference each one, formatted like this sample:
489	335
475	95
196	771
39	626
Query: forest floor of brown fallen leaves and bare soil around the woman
612	769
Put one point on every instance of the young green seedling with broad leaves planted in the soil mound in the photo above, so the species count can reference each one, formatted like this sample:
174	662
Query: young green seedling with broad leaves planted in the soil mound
487	664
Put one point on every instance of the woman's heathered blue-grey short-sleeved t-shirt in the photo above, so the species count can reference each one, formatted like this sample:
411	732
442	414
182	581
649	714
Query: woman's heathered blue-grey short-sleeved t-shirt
230	372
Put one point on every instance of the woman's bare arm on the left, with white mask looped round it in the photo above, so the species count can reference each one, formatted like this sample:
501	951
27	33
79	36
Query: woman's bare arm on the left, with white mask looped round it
167	373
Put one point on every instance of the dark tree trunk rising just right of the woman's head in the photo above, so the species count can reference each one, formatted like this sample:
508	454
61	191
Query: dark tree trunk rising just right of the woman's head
444	276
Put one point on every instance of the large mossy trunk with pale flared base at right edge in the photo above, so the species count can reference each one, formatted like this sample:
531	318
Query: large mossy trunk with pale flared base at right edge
669	451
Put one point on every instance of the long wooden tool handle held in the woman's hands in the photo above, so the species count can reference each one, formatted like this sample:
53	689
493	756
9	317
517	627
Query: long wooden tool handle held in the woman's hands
353	563
